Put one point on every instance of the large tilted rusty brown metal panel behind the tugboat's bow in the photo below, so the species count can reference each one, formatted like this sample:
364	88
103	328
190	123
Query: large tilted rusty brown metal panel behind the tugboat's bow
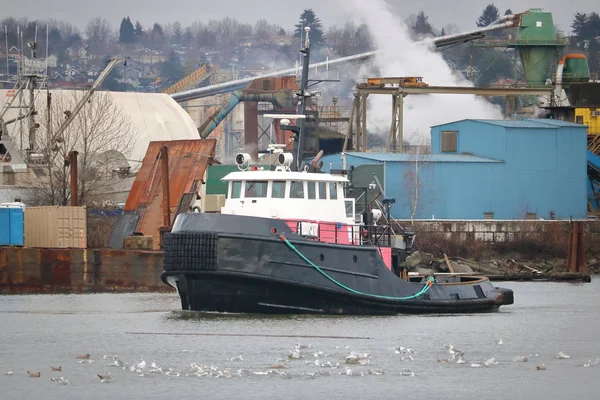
188	160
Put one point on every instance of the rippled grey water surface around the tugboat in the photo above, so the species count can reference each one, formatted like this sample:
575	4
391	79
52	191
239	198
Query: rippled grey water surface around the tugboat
41	330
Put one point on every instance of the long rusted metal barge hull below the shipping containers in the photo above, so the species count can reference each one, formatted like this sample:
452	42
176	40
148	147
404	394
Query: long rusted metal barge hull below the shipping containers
37	270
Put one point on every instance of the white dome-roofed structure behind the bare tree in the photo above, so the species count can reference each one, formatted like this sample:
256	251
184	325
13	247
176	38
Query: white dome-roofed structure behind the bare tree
153	117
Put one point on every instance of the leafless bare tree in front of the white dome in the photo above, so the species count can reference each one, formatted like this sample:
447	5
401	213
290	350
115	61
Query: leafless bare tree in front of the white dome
102	135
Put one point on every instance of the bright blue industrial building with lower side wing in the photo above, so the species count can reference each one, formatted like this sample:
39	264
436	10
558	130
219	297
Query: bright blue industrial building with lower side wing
487	169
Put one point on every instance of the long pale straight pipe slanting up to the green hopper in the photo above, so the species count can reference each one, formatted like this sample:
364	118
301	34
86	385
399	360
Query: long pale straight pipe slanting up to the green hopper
241	83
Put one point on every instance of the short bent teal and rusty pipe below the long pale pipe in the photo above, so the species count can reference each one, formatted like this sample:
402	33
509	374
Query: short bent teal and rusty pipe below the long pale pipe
278	99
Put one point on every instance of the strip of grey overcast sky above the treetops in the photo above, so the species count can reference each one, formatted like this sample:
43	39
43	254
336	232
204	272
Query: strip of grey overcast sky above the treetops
285	13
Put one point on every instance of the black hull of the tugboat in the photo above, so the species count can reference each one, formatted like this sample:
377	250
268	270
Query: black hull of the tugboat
235	264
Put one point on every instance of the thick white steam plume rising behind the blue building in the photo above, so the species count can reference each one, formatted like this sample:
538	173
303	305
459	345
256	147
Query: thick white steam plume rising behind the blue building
401	56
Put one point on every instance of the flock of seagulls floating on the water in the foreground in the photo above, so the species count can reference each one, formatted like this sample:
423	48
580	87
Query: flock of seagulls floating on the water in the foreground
326	368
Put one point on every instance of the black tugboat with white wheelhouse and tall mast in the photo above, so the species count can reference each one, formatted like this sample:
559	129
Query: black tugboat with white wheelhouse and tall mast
287	242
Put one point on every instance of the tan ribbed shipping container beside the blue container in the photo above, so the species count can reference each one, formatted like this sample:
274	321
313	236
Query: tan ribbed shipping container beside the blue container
52	226
